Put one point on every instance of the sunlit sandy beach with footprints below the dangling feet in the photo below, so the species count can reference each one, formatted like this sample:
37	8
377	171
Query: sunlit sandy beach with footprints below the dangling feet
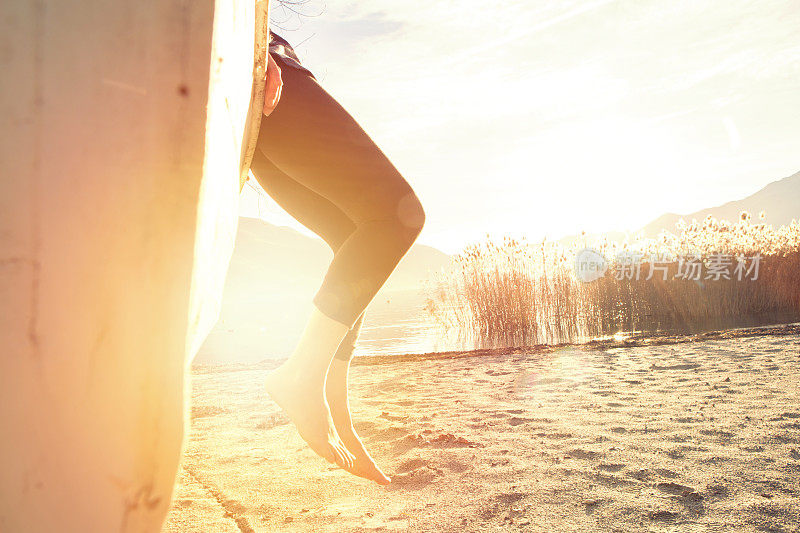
698	436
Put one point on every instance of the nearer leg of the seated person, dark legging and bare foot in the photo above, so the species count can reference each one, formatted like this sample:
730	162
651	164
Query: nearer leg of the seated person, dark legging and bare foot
311	139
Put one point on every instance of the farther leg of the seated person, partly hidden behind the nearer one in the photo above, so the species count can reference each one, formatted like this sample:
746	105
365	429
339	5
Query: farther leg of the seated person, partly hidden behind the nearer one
329	222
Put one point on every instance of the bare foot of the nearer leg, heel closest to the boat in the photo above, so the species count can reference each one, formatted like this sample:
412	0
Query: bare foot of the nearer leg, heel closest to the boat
303	399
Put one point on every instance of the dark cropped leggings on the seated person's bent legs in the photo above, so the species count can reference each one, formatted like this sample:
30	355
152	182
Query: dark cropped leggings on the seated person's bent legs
325	171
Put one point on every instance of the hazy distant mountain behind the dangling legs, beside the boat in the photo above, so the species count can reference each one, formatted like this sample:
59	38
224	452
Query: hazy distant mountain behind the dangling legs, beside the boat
273	275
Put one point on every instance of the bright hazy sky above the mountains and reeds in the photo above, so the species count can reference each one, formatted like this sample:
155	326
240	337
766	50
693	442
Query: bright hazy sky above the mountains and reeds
546	118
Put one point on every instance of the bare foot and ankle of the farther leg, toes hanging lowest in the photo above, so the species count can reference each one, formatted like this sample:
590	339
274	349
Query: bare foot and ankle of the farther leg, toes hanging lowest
336	393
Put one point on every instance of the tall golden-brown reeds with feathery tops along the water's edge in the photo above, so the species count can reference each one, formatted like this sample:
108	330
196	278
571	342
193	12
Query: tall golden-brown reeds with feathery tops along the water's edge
514	293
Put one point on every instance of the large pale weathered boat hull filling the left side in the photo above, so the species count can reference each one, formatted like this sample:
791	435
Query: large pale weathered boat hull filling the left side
117	218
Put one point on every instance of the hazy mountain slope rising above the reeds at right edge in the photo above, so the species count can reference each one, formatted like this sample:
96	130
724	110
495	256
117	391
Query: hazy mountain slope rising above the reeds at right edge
780	200
